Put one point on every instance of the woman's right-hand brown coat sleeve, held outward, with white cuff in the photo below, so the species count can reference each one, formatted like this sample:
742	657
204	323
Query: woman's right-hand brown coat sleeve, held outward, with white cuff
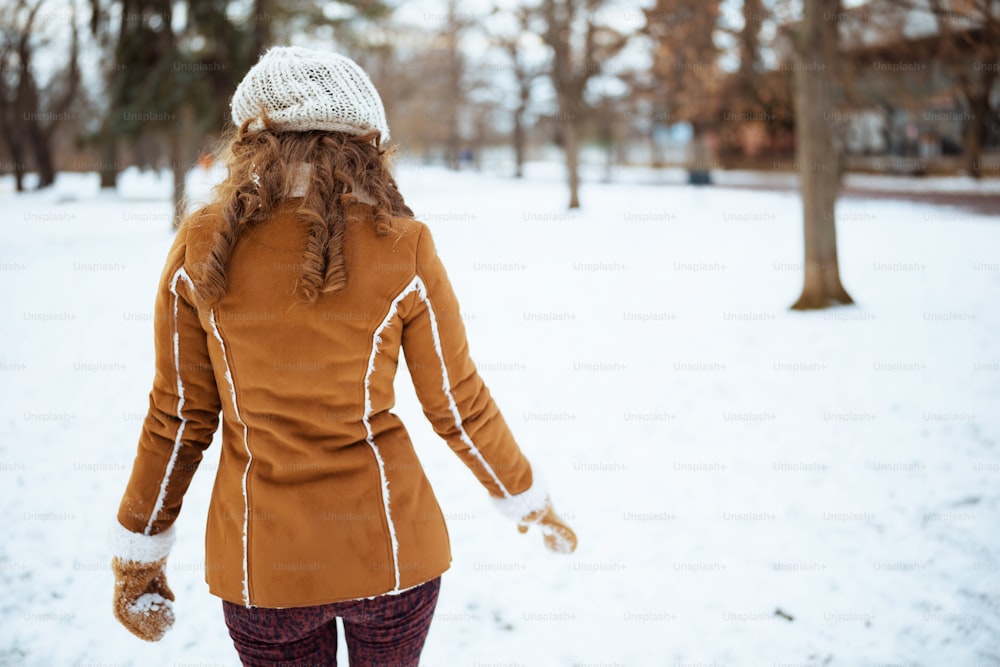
453	396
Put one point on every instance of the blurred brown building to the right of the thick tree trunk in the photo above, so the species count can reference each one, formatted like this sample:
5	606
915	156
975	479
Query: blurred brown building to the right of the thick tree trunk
906	98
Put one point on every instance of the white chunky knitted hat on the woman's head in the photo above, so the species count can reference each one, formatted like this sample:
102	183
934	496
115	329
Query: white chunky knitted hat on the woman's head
304	89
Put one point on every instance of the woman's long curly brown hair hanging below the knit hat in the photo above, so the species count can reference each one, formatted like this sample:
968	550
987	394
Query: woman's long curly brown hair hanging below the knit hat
262	174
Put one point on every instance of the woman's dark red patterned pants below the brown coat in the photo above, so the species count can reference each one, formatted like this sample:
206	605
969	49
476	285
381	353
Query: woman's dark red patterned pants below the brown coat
388	630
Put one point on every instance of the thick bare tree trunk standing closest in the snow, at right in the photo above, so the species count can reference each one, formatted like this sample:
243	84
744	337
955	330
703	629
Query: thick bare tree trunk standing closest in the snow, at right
817	158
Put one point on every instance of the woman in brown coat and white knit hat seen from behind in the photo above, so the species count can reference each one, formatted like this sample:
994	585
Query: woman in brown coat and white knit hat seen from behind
284	304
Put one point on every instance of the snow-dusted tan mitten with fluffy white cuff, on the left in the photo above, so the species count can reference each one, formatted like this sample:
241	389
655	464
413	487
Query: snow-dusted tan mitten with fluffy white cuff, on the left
143	602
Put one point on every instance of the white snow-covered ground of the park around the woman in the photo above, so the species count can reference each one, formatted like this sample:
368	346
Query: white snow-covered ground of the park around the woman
720	457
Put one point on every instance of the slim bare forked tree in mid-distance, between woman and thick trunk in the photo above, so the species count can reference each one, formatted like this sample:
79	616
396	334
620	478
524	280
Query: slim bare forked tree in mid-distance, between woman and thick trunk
580	48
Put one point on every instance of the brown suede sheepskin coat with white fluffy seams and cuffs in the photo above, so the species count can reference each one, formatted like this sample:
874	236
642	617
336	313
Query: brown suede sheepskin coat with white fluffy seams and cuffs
319	496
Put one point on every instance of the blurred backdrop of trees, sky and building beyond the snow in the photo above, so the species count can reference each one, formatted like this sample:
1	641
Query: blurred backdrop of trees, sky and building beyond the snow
101	86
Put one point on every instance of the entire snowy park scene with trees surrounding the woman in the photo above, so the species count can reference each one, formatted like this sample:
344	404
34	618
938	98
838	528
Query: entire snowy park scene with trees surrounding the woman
731	269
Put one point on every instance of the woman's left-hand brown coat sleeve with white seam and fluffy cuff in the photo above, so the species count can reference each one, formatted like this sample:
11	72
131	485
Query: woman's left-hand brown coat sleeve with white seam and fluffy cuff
183	415
